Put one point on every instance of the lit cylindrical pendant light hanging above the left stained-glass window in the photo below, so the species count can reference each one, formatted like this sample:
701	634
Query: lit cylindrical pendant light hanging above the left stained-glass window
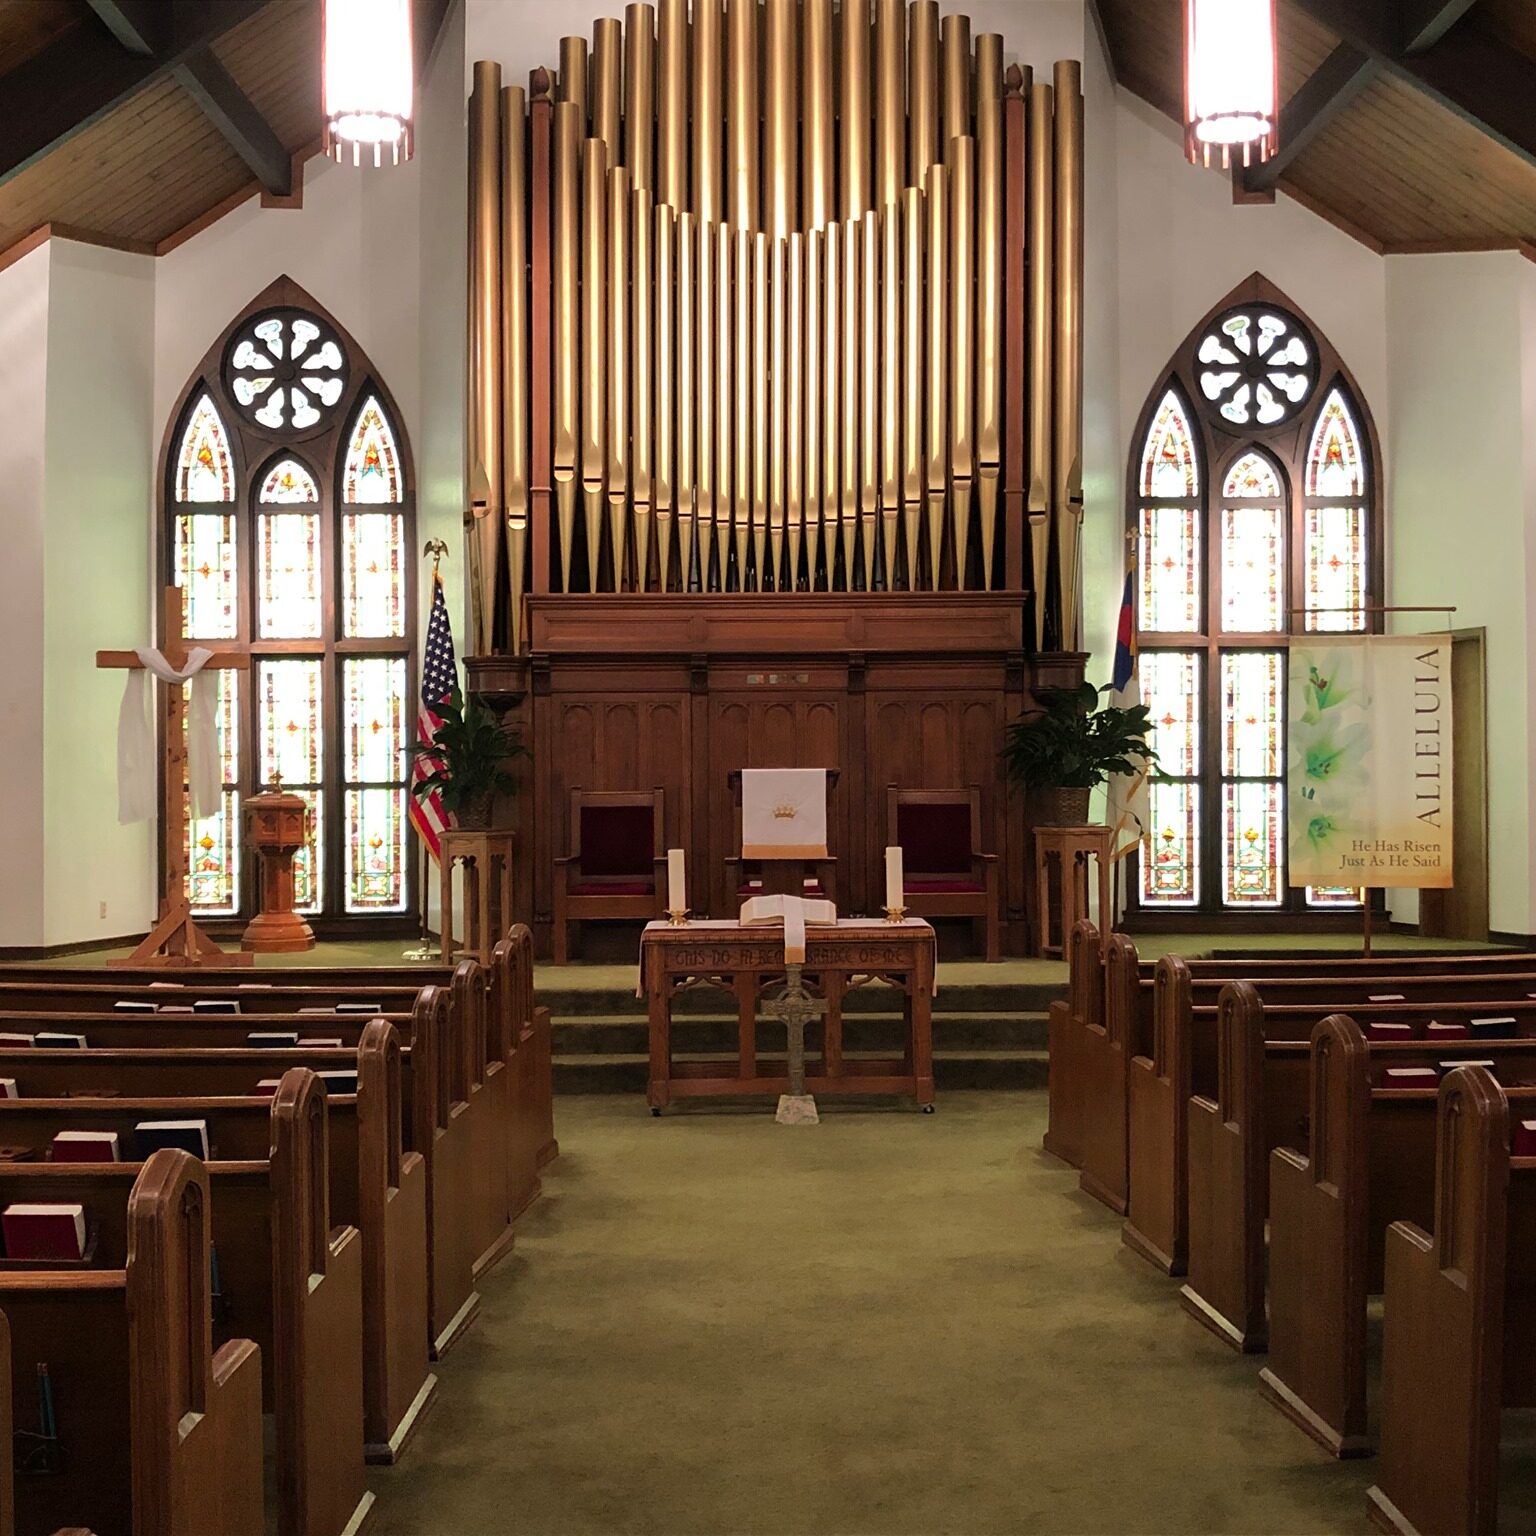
369	81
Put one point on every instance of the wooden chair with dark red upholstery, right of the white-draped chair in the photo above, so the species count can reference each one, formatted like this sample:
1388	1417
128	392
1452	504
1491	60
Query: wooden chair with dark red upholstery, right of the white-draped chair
944	870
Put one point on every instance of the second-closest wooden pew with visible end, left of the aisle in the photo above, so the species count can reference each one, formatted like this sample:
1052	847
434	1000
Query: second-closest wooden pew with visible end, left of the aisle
297	1288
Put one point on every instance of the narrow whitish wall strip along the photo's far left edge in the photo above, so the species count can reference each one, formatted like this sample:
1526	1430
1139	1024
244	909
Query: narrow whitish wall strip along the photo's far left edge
24	399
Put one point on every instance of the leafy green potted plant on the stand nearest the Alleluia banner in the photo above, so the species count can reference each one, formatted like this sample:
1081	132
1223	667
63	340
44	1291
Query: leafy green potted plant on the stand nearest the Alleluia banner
1065	749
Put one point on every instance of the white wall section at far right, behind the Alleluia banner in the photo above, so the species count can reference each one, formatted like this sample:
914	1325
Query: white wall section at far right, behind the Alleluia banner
1462	351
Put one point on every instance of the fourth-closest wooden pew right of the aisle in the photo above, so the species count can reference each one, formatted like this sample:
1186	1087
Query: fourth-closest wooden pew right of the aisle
1180	1061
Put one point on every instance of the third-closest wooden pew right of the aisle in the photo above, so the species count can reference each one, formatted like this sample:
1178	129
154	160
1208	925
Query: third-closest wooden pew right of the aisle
1260	1102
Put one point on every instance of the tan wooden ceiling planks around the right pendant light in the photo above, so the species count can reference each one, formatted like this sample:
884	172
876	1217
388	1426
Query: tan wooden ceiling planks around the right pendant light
1395	170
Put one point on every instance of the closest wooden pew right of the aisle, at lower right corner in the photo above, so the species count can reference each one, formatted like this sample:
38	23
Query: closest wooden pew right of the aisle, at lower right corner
1462	1323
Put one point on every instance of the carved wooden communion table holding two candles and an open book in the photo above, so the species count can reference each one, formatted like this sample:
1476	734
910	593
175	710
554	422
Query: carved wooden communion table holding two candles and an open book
749	962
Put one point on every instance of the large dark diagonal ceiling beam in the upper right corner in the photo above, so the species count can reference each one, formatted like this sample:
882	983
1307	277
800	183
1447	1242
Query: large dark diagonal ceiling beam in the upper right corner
1477	78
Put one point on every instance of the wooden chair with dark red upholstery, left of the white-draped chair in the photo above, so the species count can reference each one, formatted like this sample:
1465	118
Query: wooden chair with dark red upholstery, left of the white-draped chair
617	867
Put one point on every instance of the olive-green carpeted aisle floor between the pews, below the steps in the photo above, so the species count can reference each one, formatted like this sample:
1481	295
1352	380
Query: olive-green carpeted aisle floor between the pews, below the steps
892	1323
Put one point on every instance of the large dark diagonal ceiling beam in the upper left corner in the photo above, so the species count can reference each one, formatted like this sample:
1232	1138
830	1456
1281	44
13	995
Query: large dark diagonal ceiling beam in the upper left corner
79	79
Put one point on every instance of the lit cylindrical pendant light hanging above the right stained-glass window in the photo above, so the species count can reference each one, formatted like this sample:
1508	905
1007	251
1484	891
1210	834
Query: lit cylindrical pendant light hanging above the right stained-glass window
1231	81
